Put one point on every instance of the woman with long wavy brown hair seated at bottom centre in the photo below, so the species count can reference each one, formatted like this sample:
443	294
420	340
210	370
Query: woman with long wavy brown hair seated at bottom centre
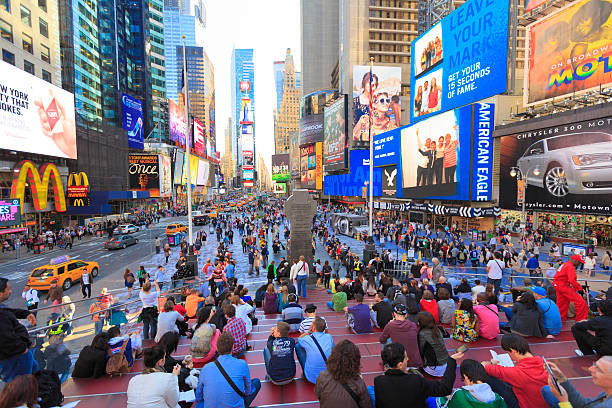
341	385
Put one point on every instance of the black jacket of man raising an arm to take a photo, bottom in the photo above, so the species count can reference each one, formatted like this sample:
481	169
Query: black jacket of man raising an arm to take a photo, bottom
395	388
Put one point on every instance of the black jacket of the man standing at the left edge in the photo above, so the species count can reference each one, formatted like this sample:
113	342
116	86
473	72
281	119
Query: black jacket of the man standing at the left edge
14	338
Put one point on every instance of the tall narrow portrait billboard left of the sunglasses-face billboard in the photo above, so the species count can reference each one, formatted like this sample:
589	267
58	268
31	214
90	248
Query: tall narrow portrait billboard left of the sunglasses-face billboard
335	142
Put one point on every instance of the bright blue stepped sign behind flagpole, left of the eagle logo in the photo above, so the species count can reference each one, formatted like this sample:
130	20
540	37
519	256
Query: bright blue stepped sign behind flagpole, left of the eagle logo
352	184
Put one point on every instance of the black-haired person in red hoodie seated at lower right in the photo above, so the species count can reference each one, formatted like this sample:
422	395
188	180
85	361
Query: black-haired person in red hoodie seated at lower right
520	385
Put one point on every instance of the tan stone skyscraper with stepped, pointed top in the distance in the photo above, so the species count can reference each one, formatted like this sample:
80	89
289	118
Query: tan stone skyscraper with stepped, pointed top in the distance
287	118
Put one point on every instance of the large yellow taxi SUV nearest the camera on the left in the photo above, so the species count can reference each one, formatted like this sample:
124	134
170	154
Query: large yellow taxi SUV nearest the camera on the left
63	269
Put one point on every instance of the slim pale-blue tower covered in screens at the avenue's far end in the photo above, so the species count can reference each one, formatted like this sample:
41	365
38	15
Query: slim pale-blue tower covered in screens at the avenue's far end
242	71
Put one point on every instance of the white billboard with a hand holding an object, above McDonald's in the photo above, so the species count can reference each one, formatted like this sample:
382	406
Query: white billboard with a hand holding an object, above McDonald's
35	116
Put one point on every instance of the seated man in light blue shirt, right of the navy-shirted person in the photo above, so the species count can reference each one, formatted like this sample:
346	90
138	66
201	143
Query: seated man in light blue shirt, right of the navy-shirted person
311	358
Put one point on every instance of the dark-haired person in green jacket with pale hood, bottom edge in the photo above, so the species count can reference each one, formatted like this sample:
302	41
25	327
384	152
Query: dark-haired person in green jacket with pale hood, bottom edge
476	393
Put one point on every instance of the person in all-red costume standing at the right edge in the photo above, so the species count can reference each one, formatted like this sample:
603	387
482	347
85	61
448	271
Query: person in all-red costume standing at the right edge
566	285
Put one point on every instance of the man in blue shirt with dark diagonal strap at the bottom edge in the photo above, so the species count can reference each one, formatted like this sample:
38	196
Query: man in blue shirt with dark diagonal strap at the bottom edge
214	391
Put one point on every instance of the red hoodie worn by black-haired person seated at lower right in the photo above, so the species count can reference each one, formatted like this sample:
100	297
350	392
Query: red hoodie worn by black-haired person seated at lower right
527	378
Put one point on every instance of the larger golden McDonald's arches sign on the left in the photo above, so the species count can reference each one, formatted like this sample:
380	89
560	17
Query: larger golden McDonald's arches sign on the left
39	186
